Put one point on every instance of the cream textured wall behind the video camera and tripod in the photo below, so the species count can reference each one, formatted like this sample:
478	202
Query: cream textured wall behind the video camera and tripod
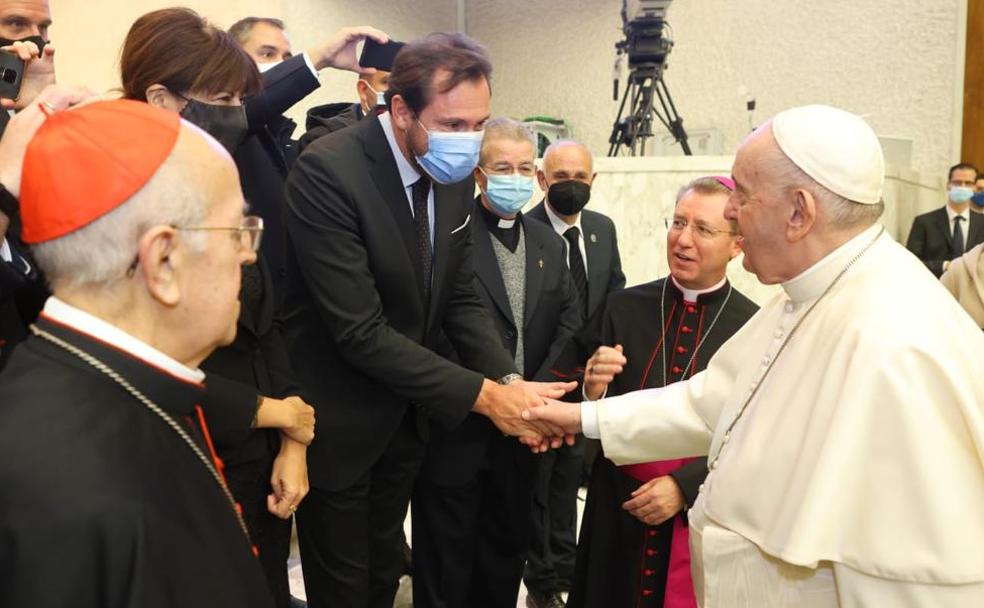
897	62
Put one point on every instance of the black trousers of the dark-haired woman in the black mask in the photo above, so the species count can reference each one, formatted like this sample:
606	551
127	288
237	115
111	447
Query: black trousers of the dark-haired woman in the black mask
250	485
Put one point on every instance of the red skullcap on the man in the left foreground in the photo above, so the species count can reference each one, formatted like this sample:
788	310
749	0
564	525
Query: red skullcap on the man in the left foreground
83	163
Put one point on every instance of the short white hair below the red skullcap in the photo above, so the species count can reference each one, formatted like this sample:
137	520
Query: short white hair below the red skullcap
101	252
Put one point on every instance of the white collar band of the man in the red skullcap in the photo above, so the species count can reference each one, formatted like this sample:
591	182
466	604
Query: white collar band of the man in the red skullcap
66	314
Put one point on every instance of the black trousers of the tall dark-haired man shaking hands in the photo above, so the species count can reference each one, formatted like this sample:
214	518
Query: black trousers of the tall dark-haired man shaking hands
351	539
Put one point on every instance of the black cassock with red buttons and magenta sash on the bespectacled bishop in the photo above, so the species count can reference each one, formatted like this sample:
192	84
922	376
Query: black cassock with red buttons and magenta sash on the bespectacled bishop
622	562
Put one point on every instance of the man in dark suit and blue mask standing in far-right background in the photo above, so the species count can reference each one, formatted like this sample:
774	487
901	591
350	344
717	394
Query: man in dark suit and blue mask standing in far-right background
943	235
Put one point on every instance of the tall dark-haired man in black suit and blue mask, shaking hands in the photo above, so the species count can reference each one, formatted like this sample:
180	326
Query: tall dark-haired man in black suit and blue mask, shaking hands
380	277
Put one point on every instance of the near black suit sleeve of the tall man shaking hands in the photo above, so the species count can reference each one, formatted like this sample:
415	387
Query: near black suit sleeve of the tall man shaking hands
332	256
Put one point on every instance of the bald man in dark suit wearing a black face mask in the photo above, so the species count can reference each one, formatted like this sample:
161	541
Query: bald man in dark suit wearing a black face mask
593	258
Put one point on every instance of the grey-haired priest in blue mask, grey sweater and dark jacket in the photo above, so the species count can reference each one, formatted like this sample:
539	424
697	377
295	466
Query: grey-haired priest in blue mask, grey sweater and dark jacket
471	503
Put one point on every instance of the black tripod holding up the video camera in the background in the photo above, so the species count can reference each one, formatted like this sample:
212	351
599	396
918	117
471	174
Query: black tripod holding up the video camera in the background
646	85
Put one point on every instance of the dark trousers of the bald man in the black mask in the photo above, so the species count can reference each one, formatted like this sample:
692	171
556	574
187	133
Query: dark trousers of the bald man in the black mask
553	548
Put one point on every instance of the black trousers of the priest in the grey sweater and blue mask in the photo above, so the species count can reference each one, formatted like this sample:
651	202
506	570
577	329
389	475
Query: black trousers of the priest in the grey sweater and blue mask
470	538
